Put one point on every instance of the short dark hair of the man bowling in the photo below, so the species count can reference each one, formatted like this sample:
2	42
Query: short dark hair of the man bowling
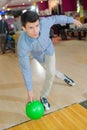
29	16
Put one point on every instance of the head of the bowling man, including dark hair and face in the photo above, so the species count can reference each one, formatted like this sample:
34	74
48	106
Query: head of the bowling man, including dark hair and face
31	24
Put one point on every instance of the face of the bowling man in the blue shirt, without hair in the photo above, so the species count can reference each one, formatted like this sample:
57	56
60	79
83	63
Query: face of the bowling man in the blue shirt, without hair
32	29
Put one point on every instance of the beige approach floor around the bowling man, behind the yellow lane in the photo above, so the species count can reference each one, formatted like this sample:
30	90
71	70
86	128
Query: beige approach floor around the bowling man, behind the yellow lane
71	58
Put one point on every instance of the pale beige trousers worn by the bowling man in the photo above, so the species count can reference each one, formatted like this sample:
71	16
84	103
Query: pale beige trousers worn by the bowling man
50	73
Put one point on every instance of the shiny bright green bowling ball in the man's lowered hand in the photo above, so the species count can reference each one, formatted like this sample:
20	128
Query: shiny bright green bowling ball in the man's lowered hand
34	110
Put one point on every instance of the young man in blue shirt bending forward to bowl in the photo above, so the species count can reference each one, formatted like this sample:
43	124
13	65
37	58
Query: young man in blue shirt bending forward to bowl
35	41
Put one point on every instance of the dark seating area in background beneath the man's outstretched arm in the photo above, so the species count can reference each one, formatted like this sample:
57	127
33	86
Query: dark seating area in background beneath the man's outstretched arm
69	31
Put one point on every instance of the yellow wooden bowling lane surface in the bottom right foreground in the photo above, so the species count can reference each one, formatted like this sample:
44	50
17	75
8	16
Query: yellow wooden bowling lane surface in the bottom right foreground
73	117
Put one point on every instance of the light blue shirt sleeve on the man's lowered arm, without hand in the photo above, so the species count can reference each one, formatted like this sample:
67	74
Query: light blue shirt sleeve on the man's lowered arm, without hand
24	62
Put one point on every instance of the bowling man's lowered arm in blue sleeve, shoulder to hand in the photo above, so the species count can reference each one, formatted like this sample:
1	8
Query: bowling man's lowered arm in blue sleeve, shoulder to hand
24	61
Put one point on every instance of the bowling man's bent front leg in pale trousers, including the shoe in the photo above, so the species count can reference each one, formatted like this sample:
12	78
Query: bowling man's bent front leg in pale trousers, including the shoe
49	66
